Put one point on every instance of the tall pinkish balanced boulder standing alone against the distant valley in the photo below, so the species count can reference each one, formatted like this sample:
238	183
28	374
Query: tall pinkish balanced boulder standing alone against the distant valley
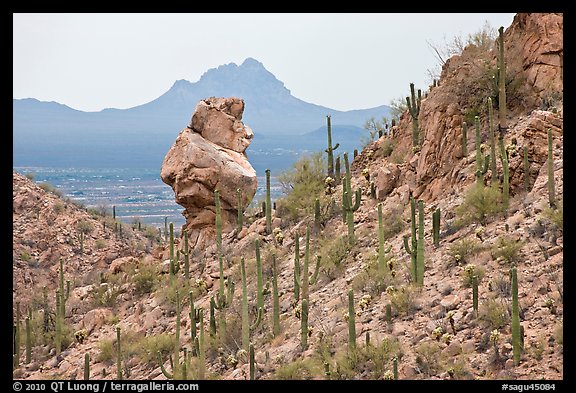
208	155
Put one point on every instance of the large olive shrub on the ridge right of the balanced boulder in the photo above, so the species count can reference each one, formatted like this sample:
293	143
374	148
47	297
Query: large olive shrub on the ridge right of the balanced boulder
301	185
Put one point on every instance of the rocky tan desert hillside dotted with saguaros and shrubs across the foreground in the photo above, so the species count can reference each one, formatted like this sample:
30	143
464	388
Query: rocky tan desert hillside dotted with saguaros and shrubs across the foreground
432	330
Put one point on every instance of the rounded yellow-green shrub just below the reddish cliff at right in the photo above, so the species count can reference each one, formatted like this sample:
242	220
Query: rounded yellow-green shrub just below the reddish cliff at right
480	204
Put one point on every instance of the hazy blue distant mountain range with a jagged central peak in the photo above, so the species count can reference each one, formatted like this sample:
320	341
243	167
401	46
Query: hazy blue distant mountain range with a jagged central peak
52	134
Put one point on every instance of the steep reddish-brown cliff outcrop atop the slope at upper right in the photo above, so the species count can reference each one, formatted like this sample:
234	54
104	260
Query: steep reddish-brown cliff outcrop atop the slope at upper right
534	50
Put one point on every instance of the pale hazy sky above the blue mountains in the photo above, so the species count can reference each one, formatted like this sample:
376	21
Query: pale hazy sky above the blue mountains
342	61
